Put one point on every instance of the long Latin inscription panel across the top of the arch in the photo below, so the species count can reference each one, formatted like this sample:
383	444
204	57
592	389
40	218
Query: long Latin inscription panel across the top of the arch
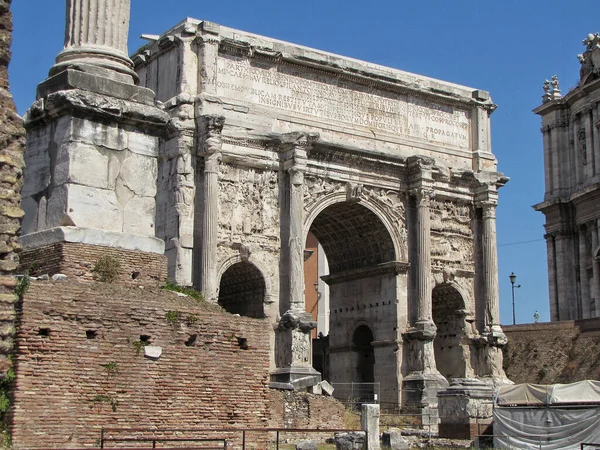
308	93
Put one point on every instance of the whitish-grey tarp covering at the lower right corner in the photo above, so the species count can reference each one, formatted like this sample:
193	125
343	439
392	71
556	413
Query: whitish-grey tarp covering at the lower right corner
560	416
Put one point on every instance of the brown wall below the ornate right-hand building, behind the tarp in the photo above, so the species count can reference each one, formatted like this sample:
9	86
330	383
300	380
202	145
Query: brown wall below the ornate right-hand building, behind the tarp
558	352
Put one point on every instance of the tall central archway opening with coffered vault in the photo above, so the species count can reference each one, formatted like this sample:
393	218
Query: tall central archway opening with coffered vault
362	298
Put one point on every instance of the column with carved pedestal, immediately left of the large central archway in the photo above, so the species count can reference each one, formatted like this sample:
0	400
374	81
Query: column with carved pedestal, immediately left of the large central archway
294	353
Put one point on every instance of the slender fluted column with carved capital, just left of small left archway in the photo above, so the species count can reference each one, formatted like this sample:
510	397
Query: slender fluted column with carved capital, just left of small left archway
212	156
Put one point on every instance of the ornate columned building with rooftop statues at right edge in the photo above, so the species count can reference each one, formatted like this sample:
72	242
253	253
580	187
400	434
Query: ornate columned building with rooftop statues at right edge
571	131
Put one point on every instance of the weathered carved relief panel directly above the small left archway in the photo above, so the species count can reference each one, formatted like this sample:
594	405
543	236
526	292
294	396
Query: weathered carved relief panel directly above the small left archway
248	204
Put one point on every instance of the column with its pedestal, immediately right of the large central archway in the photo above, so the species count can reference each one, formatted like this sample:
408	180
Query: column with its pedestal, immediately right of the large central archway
423	381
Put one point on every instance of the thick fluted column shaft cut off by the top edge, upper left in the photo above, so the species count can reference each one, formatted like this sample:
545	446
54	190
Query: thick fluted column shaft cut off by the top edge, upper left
96	35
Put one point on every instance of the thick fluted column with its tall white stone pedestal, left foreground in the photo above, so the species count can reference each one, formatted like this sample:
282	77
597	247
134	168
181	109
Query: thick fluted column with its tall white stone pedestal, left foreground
92	149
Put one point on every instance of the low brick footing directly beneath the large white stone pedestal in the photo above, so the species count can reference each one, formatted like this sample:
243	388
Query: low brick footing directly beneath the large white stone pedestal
77	261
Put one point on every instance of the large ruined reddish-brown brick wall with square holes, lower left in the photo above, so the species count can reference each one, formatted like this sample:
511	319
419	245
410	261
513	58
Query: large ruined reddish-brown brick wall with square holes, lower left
78	366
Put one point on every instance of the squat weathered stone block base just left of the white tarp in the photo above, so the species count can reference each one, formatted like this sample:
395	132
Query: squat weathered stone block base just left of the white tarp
465	408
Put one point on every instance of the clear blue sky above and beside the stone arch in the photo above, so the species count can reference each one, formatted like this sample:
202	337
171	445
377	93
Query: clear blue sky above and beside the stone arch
506	47
